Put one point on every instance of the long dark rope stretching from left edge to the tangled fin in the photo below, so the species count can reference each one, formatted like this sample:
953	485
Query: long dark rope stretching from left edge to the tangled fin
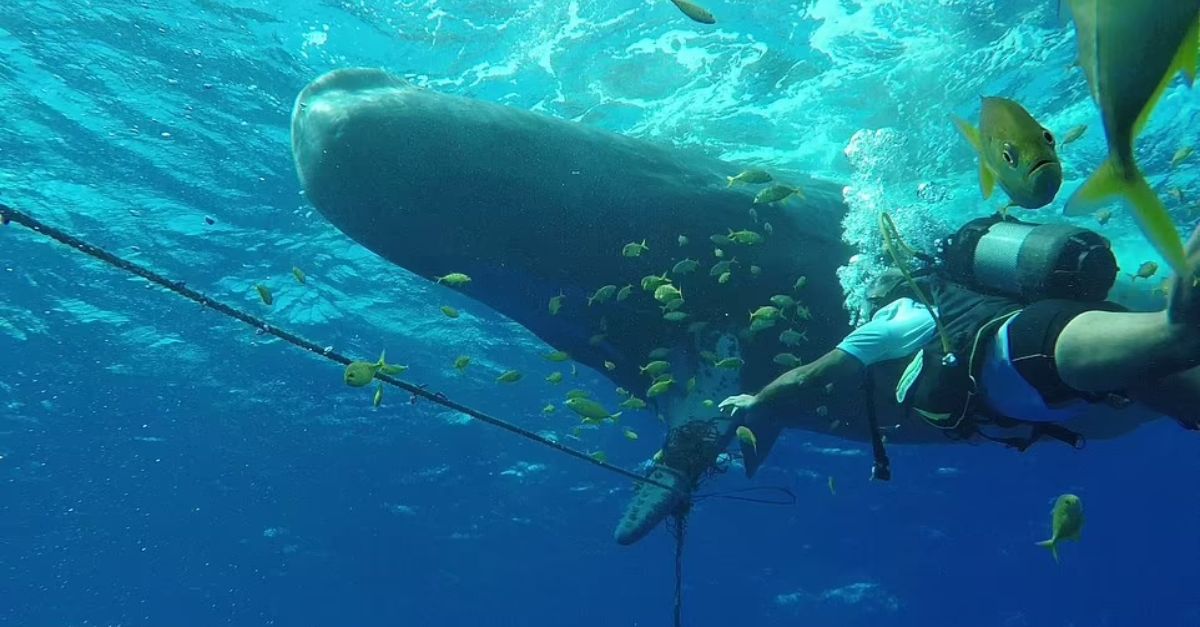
9	214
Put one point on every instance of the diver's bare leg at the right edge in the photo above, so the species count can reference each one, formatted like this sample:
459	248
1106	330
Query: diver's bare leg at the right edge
1103	351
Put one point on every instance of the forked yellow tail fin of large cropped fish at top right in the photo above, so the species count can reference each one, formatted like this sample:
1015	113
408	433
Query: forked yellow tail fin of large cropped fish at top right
1148	210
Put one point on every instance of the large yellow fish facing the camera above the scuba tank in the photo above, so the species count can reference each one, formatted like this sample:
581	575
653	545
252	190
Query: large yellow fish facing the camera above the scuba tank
1016	152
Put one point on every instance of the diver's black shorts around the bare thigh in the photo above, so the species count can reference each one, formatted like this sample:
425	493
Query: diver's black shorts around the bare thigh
1033	336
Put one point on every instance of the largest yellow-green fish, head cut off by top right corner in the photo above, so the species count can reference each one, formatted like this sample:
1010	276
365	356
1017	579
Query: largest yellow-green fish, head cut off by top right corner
1130	53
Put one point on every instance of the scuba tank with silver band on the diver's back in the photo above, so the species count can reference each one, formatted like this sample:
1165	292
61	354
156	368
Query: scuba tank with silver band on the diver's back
1029	262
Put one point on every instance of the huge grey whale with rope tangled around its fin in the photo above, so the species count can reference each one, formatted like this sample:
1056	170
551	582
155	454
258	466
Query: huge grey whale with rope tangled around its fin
532	207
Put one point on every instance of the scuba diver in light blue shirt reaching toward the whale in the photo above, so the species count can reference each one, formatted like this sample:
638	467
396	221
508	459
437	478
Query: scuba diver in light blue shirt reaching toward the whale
1006	329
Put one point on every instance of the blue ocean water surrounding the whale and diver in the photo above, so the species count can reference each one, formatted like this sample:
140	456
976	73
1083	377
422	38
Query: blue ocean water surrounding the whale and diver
164	465
